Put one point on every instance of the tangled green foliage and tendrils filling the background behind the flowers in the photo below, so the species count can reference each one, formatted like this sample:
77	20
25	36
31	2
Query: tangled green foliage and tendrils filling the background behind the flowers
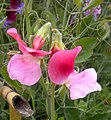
77	29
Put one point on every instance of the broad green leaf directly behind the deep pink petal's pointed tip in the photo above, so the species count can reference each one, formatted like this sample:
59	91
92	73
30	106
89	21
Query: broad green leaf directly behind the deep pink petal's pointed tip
88	44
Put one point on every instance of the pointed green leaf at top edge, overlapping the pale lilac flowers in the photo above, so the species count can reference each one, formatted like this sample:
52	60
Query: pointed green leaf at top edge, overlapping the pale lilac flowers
92	4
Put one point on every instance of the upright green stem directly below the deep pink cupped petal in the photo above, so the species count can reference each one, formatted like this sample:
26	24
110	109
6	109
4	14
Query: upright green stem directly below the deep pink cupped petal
52	102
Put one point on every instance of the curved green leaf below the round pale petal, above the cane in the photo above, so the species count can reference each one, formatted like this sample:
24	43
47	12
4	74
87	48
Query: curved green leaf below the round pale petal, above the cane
10	82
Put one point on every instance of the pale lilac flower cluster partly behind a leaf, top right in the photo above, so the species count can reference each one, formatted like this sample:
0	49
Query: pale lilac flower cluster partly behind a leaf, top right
96	10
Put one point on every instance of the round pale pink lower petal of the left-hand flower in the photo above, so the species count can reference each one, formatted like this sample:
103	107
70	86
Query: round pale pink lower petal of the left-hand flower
25	69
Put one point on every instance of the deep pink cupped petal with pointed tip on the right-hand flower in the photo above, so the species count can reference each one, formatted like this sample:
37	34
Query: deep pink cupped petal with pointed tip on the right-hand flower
61	65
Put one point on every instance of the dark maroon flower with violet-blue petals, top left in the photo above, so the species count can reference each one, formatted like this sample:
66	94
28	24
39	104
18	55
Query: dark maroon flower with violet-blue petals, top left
16	6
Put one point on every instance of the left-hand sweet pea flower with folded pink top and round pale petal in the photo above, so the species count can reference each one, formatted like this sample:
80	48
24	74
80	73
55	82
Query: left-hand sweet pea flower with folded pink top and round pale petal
26	67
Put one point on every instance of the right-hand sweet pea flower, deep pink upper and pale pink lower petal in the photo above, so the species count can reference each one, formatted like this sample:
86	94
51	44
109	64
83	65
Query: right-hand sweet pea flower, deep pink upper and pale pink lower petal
61	71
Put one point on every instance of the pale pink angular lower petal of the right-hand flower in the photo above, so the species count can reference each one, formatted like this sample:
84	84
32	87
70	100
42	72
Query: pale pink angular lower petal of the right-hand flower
83	83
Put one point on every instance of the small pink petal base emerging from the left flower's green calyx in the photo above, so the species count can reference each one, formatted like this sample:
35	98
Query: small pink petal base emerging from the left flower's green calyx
38	42
